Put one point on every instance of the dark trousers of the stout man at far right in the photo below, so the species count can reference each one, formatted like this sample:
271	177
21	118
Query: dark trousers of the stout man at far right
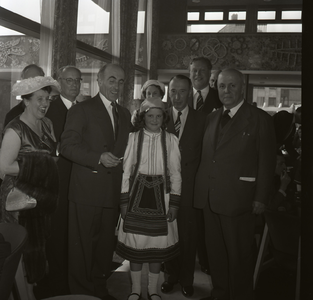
230	245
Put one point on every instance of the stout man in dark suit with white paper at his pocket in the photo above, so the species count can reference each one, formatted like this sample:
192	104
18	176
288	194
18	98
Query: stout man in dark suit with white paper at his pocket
233	184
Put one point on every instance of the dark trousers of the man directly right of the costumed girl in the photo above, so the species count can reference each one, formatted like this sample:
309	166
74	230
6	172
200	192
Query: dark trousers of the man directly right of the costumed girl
181	269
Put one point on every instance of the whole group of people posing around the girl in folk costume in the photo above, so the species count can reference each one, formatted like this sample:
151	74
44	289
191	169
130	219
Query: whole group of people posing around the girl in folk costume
200	169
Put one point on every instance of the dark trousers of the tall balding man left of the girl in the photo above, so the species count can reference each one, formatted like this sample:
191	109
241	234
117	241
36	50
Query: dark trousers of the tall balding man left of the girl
91	247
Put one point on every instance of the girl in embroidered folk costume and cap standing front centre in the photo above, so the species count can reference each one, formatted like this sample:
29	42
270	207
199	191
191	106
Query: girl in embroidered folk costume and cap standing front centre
150	197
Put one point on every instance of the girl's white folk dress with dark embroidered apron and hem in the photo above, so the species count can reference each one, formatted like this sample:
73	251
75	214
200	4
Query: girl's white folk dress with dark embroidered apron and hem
145	239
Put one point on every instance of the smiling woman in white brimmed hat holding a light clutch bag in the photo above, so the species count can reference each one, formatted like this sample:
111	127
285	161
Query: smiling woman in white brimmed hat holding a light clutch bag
27	166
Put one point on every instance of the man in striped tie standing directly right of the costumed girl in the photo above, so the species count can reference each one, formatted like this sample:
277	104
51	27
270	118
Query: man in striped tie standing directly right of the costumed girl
188	125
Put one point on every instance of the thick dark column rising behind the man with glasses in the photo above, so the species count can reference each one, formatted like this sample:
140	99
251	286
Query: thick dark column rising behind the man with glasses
65	28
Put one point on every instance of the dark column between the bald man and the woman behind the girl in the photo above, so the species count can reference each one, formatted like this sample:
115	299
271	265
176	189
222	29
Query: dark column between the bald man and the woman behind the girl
129	11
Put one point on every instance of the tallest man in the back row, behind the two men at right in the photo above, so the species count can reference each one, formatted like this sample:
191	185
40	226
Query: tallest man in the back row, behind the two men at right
204	98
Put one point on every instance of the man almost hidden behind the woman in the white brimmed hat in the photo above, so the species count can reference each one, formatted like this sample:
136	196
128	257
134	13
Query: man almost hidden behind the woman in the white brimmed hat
28	72
